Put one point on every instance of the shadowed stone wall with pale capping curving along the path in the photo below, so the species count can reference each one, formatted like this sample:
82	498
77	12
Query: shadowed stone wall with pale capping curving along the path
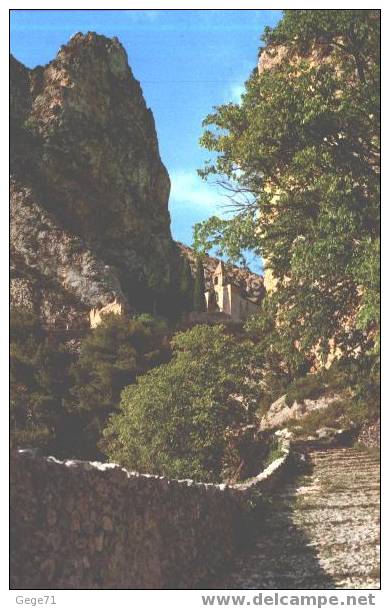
88	525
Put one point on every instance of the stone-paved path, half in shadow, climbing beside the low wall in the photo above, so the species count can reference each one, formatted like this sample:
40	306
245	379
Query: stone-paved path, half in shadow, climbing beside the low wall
320	532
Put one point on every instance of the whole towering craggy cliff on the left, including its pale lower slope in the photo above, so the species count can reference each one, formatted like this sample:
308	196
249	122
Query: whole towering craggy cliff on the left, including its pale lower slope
89	193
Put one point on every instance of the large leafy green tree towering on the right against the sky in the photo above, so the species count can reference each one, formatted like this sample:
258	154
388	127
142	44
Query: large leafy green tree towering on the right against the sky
300	157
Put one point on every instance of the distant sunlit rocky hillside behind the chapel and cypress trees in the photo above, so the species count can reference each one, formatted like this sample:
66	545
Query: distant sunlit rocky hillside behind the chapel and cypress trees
251	284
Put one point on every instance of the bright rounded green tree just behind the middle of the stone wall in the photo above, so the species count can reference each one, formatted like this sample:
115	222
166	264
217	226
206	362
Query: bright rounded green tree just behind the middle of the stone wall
178	419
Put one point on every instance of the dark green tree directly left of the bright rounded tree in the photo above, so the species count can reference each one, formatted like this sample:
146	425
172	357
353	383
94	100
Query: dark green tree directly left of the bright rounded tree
111	357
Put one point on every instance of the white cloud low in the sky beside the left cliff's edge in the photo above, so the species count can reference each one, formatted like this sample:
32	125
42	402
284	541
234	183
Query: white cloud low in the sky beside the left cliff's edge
187	188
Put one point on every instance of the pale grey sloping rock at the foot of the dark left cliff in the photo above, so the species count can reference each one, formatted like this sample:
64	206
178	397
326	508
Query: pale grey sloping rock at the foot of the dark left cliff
54	272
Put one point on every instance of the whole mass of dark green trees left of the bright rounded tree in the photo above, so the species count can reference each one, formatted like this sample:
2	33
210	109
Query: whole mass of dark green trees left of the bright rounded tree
58	401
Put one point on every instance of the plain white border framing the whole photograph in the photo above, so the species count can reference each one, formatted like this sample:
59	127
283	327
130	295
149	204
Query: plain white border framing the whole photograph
123	598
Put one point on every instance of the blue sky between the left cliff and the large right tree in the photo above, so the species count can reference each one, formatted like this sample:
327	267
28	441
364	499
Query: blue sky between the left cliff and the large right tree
187	61
